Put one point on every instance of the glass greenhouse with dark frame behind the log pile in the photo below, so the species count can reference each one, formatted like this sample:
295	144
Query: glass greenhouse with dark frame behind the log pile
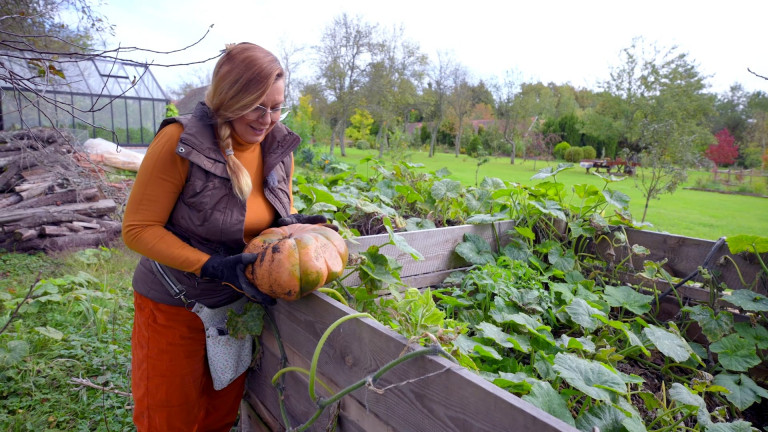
91	96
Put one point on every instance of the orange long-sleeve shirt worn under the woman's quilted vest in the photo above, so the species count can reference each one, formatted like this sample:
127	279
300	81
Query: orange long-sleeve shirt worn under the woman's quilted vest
157	187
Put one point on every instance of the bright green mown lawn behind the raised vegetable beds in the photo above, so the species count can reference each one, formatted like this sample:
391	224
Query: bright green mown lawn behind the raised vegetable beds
690	213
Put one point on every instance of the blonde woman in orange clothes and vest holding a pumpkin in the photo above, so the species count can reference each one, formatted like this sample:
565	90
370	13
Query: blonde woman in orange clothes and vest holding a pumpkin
208	184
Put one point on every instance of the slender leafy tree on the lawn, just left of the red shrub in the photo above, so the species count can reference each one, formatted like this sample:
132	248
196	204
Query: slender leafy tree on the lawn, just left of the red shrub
664	115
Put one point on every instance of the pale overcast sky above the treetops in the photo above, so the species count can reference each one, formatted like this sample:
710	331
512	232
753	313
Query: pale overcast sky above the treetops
574	42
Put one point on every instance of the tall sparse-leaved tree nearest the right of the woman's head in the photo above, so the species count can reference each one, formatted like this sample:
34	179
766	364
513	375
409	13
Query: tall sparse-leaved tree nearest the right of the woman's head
344	53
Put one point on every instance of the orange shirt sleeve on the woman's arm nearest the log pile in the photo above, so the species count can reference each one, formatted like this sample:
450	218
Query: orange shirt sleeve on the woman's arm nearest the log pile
158	184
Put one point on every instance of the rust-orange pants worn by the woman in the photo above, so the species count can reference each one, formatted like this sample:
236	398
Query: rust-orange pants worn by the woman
171	382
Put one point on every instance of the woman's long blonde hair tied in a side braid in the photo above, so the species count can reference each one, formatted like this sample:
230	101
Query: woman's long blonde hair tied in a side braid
241	79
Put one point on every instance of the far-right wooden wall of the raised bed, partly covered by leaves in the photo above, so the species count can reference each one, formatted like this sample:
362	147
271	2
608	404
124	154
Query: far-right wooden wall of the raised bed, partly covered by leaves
684	255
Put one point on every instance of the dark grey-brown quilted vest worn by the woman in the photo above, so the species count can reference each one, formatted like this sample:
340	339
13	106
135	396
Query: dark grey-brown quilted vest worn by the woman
208	215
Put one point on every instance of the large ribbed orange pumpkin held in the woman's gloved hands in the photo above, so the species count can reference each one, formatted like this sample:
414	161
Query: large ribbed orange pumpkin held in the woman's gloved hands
295	260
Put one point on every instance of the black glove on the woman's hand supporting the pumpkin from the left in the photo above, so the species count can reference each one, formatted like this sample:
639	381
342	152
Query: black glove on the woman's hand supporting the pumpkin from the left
231	271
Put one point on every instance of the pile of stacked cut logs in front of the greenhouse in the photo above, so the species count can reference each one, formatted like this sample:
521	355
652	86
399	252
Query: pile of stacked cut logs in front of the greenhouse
51	197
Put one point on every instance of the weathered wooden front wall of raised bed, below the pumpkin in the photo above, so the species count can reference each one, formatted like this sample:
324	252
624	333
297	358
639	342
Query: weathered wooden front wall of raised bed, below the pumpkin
427	393
